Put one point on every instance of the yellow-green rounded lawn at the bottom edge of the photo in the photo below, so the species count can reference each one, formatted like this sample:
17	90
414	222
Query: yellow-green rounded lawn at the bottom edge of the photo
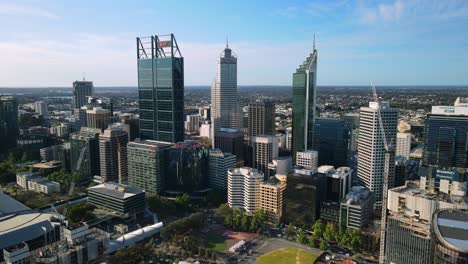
287	256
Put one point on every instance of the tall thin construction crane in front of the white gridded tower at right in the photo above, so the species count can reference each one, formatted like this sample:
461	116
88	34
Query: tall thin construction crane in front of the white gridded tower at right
389	150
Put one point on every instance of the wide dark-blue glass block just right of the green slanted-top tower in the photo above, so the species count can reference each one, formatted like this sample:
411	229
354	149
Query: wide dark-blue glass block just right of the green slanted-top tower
332	139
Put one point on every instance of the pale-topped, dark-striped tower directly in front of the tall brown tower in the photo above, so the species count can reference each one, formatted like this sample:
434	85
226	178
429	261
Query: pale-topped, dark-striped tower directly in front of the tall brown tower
265	149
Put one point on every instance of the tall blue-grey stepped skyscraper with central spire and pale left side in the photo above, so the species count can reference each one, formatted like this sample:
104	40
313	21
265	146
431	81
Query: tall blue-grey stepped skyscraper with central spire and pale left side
224	98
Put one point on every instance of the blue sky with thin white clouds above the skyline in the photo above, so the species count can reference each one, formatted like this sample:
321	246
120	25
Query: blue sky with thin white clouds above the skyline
395	42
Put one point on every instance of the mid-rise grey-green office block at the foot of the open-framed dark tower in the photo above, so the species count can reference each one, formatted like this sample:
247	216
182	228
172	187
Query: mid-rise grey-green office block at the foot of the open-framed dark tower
146	161
